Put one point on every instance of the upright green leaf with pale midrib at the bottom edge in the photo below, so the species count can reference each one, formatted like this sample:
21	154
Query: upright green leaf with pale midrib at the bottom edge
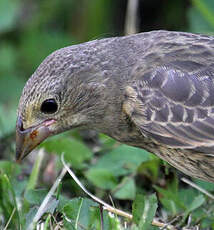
143	210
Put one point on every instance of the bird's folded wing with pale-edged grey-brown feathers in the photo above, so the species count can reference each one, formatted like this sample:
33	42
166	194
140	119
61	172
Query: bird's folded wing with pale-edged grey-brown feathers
173	107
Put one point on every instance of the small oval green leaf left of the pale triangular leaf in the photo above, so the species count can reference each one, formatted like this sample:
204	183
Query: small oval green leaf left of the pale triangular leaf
101	178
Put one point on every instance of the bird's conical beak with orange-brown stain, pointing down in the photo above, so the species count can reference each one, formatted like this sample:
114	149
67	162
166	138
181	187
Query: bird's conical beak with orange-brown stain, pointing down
28	139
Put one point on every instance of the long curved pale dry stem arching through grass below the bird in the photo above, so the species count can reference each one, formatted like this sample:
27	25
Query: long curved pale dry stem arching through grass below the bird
106	206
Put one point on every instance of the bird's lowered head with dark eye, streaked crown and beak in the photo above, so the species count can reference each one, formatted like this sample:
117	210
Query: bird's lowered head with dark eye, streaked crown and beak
60	95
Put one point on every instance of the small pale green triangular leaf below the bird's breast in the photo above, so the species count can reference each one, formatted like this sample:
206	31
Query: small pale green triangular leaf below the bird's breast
126	190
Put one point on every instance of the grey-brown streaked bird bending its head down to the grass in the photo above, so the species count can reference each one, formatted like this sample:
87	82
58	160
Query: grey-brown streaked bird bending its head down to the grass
152	90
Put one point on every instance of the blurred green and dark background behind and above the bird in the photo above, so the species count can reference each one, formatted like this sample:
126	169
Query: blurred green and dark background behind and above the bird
30	30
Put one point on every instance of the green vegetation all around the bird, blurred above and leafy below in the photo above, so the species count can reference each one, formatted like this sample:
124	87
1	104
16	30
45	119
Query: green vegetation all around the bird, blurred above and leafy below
128	178
